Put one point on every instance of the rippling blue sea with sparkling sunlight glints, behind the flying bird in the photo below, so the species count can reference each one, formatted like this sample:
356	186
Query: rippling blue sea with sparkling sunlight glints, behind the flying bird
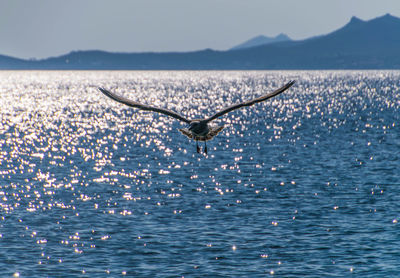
304	185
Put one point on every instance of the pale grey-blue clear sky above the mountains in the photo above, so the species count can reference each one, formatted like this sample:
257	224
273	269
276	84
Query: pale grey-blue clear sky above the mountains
45	28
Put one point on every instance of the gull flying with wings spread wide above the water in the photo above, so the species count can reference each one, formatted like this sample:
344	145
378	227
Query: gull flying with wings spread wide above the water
198	129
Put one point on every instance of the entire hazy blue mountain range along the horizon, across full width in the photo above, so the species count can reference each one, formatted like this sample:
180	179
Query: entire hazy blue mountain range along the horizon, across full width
373	44
